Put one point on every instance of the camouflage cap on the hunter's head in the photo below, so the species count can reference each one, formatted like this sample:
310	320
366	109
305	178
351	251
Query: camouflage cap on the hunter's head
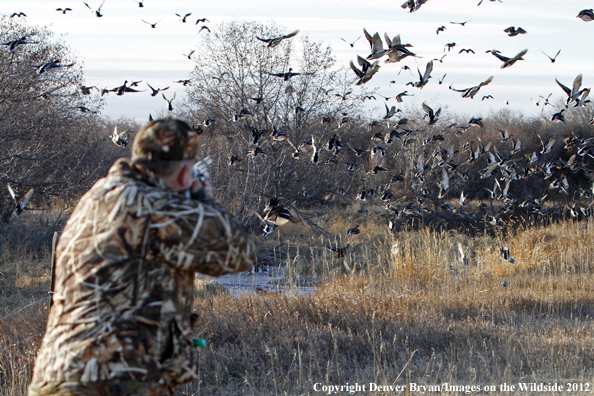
167	139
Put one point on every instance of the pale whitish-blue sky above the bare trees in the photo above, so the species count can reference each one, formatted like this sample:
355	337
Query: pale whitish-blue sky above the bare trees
119	46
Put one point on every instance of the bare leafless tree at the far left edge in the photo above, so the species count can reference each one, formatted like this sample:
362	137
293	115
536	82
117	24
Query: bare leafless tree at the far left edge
47	138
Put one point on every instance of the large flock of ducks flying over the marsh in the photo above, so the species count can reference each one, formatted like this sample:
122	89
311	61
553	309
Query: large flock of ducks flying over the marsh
437	162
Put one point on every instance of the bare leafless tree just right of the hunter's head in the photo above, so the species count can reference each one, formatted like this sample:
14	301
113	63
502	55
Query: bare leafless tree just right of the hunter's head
272	103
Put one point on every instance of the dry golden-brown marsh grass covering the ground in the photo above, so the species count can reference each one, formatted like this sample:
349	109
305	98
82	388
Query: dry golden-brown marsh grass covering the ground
393	311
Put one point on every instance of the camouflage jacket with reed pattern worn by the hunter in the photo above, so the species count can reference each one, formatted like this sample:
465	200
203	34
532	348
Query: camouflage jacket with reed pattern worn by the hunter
123	293
